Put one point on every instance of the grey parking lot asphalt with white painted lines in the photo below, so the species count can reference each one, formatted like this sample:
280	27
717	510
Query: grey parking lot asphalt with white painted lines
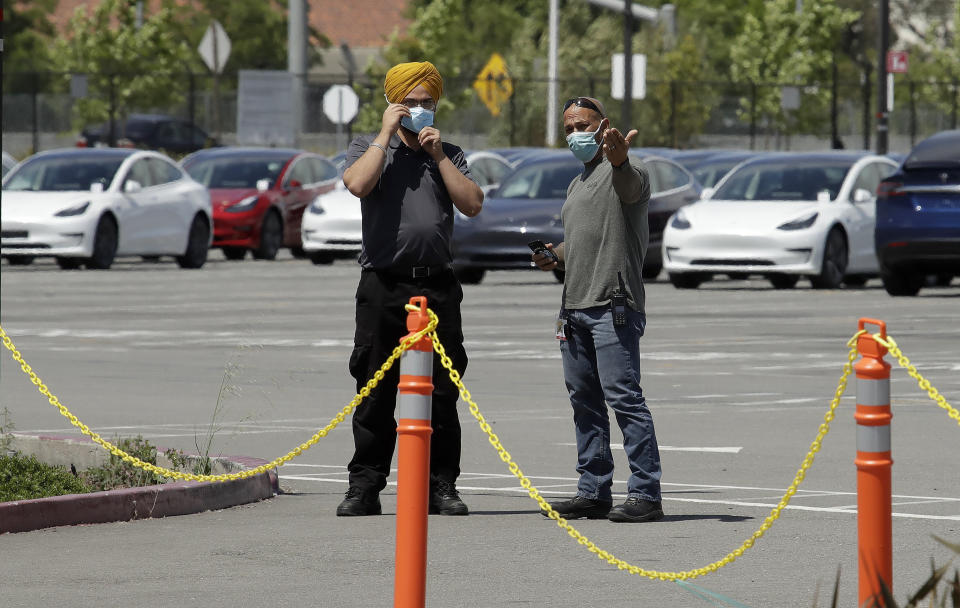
738	376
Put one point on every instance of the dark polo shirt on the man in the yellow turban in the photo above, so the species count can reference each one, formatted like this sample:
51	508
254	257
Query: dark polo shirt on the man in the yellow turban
408	216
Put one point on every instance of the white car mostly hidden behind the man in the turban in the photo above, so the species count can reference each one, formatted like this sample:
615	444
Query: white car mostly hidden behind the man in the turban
331	226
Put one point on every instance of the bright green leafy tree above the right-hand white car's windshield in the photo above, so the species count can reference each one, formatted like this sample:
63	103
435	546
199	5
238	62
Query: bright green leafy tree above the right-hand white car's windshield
789	44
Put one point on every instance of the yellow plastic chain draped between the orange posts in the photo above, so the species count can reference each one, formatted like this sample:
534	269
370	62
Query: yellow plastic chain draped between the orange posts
505	456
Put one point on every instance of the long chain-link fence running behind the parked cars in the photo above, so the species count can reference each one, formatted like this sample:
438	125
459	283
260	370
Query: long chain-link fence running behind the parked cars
40	111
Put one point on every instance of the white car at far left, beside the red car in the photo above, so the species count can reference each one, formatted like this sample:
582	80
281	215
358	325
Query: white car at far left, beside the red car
86	206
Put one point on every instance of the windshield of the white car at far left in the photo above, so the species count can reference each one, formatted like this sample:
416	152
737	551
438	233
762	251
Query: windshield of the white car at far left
63	174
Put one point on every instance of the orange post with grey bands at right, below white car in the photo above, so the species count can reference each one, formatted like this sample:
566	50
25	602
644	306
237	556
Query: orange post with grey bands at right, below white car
874	464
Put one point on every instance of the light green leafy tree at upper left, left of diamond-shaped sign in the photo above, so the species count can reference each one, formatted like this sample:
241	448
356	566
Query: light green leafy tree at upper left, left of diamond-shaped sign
127	67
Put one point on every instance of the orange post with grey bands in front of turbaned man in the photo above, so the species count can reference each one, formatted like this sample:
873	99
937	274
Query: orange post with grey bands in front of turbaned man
413	461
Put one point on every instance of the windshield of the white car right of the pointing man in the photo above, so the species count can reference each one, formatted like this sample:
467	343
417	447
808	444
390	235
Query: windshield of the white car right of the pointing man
786	179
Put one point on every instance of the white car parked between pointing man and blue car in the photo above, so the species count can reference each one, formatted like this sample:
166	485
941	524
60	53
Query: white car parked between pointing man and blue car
782	216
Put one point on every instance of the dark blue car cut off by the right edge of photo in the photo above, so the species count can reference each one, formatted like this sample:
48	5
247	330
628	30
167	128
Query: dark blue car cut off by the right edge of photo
917	230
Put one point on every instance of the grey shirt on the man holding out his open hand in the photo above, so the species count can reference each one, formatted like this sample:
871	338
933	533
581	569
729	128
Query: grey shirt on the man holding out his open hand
605	231
